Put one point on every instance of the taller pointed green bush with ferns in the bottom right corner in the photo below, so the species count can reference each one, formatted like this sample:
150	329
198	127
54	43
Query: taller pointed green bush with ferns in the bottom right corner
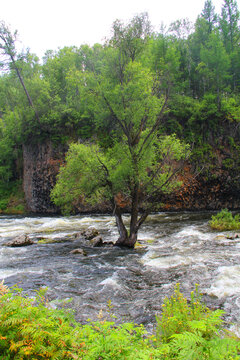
189	330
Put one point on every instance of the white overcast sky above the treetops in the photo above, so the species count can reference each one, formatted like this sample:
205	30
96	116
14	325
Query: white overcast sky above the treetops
53	24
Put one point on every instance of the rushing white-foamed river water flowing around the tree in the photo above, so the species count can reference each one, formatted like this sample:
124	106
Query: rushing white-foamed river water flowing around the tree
180	248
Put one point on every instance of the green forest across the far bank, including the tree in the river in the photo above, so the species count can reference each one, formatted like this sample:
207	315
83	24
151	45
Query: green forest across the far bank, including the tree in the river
131	111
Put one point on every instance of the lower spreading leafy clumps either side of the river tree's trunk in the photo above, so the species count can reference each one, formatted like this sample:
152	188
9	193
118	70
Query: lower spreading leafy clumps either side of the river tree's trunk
92	175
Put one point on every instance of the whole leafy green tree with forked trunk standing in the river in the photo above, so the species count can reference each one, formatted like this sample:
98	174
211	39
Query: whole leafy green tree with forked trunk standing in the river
139	161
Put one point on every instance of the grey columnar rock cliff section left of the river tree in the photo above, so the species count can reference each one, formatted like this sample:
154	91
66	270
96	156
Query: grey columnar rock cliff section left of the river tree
41	163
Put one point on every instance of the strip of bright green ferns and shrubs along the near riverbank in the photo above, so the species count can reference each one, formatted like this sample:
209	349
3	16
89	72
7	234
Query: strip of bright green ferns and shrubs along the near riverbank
31	329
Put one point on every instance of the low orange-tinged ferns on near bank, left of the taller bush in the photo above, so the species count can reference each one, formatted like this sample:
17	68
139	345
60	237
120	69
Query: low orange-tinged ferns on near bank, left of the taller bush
30	329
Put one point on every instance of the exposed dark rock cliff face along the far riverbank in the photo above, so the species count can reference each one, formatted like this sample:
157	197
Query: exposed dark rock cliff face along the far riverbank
42	162
